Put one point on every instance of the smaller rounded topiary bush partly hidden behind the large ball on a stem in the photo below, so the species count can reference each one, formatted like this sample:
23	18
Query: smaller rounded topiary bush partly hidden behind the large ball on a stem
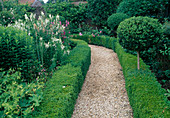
115	19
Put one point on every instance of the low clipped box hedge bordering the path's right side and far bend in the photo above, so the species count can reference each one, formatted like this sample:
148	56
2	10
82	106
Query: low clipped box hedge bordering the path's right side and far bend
145	93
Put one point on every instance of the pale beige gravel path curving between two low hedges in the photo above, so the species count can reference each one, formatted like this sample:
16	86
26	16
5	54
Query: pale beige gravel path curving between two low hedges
103	94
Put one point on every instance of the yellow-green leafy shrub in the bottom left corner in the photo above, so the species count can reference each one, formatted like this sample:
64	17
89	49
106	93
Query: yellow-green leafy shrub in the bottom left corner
18	98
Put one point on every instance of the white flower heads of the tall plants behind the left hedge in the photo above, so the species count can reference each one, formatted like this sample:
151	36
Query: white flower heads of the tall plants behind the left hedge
43	26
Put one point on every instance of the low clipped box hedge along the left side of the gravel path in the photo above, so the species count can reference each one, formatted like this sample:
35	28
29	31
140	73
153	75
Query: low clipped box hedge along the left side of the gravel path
62	89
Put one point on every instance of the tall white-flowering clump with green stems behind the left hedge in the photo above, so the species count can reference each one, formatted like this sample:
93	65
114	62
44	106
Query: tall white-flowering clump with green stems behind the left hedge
50	37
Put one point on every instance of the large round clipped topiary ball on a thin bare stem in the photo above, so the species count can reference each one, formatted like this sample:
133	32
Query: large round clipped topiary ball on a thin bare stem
139	33
